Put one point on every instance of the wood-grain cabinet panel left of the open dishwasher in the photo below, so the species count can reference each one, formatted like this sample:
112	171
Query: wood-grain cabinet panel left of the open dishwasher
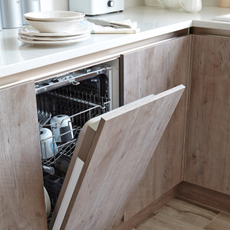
21	184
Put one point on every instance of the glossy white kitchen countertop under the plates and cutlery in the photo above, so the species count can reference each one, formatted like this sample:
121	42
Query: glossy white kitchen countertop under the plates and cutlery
16	56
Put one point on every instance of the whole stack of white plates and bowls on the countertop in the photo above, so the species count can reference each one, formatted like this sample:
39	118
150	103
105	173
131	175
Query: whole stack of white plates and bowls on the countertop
53	27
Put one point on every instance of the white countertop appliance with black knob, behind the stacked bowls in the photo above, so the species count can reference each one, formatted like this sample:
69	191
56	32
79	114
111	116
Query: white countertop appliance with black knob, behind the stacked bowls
96	7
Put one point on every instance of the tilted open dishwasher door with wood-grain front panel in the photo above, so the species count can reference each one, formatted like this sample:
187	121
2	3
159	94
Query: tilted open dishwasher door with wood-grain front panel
116	148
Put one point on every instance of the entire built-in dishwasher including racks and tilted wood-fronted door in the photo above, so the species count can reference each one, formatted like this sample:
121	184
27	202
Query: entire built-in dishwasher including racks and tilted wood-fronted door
93	154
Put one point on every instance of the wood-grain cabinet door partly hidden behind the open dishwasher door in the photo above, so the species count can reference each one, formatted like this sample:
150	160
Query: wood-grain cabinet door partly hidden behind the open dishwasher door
153	70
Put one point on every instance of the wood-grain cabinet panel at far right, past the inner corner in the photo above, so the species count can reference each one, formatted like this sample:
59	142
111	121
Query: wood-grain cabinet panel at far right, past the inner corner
208	154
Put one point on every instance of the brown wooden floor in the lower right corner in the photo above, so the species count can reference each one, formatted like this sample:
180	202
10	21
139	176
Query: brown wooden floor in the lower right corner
179	214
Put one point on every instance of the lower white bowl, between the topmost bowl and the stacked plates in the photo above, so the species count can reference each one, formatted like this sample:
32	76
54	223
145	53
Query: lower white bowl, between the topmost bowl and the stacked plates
54	27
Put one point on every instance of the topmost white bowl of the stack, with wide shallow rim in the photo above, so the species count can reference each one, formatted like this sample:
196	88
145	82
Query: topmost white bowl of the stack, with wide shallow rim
54	15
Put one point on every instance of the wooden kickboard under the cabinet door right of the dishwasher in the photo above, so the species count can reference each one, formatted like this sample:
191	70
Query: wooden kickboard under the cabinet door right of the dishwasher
147	211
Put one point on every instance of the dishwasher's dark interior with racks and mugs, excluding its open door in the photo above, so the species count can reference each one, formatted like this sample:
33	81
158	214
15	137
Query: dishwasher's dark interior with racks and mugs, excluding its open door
65	102
